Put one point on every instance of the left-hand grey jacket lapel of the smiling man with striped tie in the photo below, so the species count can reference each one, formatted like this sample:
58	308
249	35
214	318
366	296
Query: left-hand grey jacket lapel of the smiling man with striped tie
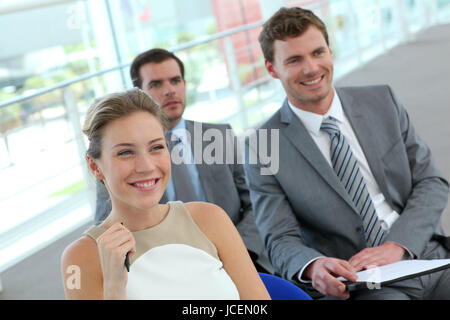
298	135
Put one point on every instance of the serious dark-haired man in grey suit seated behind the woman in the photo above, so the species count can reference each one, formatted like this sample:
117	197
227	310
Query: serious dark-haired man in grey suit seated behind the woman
161	75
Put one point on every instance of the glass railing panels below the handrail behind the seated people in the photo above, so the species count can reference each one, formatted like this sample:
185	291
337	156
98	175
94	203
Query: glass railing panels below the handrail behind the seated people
46	189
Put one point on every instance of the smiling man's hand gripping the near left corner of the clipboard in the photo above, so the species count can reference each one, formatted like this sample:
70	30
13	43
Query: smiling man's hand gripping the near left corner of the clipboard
323	273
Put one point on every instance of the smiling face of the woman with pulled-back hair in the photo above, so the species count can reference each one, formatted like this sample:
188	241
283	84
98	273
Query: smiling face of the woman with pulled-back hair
134	157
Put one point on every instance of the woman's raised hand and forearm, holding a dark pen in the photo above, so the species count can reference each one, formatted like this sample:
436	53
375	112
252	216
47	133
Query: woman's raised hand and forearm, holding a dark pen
113	246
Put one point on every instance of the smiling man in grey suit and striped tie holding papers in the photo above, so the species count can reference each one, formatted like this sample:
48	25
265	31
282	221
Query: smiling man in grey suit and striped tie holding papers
356	187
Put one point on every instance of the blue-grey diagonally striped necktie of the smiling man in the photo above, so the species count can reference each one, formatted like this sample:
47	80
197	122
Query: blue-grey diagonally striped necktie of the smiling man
348	172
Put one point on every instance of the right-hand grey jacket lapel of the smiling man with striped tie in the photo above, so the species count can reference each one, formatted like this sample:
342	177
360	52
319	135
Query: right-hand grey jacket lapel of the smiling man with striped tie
365	131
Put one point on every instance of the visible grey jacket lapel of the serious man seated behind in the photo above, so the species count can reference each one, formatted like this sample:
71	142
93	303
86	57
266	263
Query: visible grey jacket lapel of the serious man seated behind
202	169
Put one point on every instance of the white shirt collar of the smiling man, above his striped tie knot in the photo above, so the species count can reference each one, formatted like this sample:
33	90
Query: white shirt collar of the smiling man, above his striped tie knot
313	121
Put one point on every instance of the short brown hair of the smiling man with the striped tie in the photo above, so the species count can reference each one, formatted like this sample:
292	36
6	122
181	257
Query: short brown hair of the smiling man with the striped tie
288	23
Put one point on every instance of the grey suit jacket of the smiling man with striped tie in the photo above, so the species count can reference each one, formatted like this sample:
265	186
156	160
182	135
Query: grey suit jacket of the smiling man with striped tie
303	211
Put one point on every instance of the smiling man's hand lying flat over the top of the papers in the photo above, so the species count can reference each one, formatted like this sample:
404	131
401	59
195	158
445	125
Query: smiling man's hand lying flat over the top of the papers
387	253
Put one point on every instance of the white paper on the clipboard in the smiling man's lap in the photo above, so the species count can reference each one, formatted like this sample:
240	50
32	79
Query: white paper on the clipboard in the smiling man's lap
376	277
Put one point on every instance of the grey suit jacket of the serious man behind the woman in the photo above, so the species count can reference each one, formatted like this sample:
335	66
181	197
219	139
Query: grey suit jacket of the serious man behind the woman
223	184
